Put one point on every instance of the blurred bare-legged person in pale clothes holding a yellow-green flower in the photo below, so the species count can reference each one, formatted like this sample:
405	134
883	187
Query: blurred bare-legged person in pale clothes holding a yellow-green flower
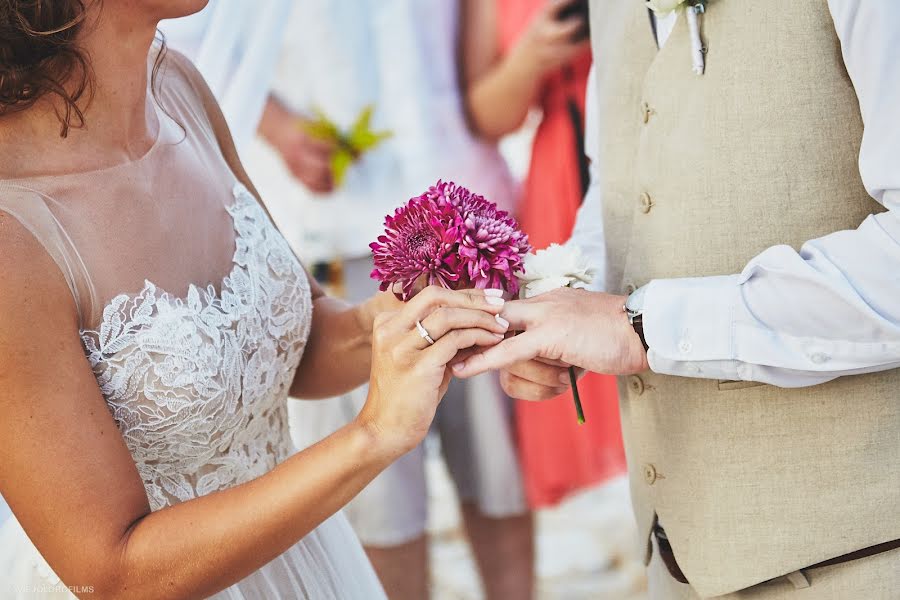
399	57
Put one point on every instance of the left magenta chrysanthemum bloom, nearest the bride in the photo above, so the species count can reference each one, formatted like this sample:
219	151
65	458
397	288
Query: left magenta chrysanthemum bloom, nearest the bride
419	245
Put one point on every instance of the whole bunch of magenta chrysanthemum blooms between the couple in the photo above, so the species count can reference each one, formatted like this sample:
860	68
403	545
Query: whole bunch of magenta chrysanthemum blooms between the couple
451	237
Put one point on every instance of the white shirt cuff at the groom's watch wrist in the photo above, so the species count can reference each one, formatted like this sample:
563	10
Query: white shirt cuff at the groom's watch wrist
689	325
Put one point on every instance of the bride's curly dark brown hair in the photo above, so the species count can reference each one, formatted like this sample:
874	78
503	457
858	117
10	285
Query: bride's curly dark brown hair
39	56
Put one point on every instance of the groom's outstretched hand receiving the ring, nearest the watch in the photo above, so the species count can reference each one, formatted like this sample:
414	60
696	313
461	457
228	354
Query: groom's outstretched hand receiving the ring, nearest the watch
576	327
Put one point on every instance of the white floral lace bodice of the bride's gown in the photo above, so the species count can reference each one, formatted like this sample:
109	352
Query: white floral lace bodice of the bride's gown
198	386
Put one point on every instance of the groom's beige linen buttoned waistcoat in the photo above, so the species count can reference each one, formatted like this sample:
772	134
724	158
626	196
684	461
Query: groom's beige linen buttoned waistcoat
700	174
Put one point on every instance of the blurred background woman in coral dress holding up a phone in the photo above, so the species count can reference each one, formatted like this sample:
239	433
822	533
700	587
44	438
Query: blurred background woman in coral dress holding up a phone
523	54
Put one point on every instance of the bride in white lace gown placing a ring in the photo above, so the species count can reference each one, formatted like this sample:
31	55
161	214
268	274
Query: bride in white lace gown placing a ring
153	322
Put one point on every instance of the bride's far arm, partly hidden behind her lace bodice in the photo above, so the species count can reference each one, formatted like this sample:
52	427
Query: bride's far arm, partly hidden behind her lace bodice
341	334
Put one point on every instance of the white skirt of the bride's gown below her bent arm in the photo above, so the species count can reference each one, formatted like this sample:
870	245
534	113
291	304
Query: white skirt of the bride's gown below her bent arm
328	564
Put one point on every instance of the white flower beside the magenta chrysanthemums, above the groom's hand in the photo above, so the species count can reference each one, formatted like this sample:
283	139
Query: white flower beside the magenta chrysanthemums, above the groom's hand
553	268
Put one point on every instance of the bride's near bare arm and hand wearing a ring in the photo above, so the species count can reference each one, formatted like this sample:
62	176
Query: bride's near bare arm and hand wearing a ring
71	481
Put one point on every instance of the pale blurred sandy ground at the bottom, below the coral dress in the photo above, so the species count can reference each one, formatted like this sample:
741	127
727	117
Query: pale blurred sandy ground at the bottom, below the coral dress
586	547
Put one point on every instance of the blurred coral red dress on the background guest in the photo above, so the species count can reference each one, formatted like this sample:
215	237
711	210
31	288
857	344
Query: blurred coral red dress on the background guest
558	455
